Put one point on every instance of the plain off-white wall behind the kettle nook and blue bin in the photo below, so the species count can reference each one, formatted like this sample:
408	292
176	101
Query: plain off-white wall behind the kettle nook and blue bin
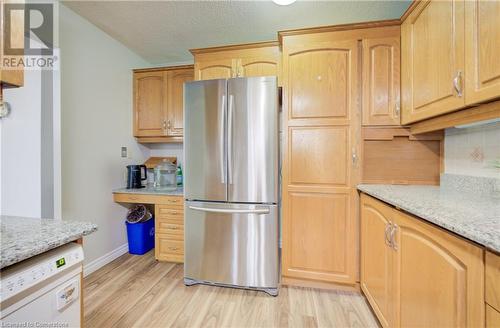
96	120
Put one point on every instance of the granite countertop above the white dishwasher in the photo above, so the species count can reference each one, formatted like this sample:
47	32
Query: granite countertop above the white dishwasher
22	238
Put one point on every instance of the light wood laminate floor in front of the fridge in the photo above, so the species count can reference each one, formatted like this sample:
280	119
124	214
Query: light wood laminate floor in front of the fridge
137	291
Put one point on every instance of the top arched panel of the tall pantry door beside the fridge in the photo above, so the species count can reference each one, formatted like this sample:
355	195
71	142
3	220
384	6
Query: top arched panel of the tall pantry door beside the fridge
320	82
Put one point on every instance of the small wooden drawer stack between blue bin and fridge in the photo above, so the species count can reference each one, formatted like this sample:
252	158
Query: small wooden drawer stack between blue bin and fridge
169	232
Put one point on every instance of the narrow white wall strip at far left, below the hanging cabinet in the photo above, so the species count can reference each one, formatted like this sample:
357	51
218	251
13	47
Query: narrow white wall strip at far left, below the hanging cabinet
20	174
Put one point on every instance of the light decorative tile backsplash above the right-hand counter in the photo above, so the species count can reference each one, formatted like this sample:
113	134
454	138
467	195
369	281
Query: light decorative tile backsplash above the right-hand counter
473	151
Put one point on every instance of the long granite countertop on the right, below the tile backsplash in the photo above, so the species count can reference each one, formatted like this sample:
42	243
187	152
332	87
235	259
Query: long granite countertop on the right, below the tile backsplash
469	213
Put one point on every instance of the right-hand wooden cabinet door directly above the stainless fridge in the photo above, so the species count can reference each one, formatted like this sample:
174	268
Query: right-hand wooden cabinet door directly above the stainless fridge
261	62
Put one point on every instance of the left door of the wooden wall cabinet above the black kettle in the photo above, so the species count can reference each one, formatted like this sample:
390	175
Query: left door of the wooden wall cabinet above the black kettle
149	117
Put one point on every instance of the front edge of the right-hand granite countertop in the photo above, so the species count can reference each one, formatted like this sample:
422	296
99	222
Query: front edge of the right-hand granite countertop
432	220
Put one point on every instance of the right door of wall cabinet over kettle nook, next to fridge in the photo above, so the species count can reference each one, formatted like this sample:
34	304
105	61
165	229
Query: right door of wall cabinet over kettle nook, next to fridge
175	99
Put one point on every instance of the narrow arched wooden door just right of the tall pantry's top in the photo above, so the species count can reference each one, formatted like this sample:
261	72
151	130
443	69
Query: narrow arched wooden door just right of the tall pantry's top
381	71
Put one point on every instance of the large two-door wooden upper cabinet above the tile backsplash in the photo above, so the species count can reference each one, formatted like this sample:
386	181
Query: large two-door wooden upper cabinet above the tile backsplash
449	56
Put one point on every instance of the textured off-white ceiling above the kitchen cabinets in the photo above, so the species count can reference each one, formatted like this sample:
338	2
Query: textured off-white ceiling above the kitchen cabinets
163	31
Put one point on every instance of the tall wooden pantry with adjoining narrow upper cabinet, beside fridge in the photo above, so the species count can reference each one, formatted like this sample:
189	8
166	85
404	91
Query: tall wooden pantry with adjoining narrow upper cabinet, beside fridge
333	80
